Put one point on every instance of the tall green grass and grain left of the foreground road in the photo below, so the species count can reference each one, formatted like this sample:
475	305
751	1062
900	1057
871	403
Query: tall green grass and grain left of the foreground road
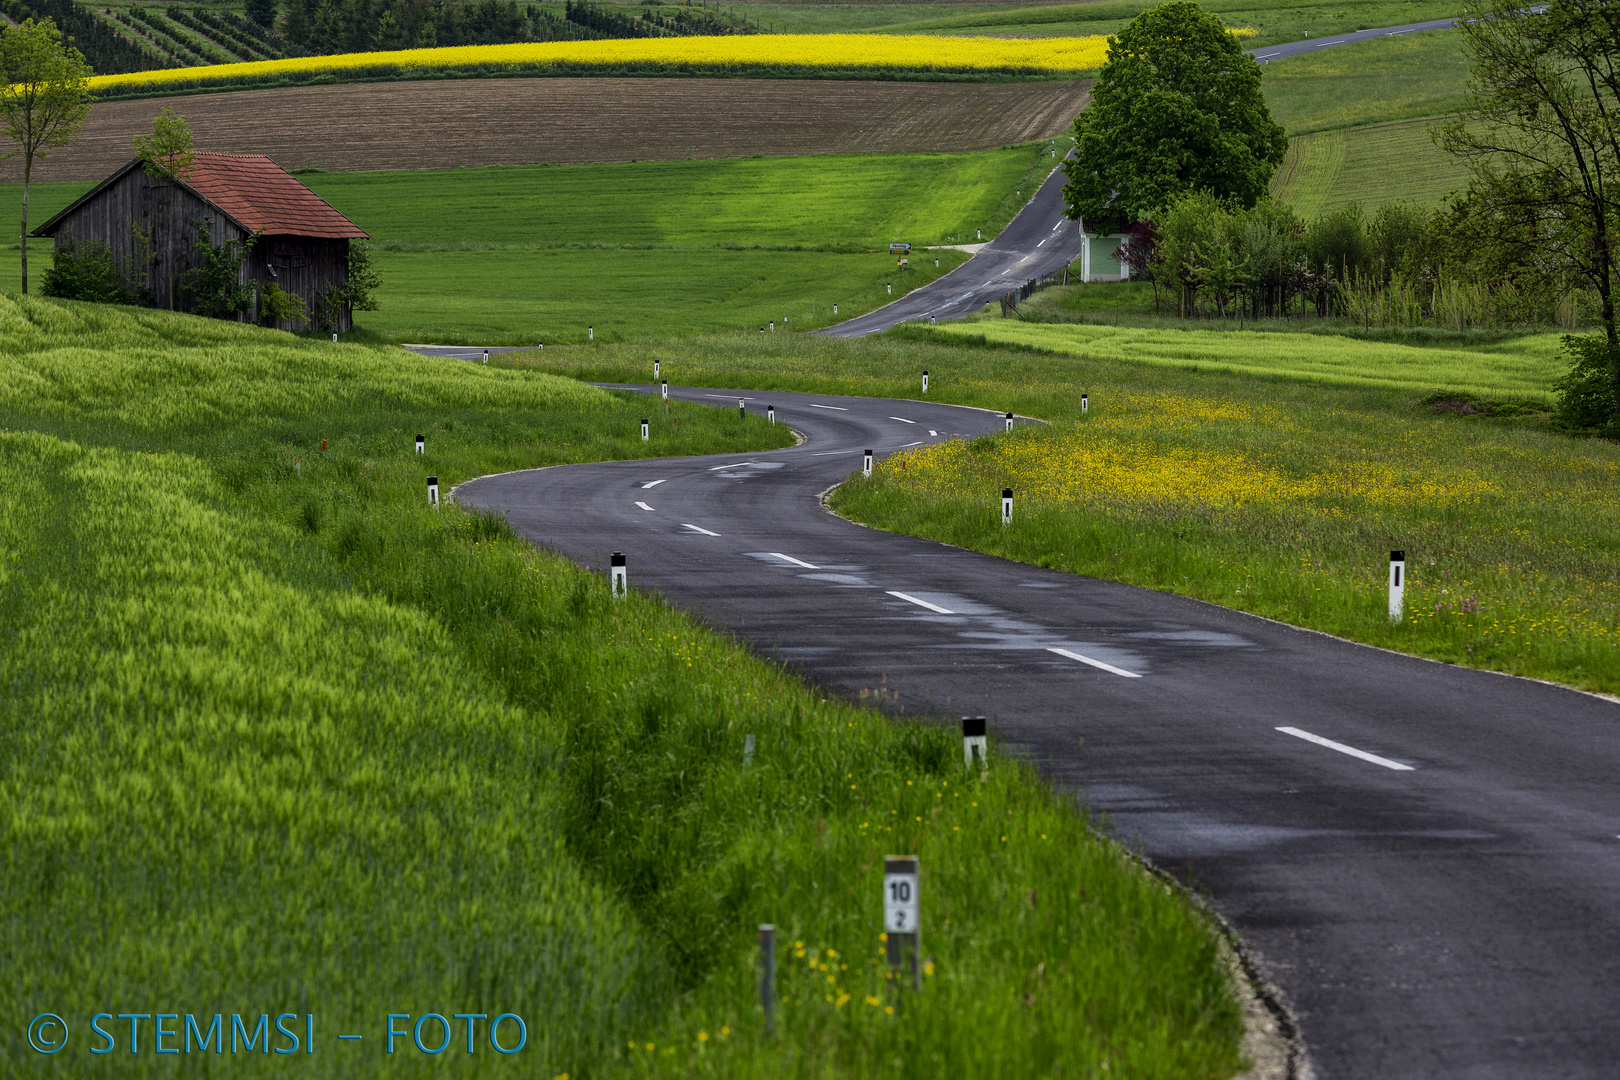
281	739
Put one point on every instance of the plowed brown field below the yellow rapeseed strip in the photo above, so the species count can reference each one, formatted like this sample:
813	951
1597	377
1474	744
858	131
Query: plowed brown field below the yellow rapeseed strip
532	122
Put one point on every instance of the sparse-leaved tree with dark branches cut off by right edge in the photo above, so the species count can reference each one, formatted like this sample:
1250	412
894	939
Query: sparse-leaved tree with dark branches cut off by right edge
1541	135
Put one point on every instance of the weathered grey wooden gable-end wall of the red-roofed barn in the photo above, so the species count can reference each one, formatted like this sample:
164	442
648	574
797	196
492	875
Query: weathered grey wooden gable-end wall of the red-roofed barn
148	219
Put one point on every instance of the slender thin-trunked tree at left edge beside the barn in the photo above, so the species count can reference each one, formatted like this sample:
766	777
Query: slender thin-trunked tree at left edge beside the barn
45	98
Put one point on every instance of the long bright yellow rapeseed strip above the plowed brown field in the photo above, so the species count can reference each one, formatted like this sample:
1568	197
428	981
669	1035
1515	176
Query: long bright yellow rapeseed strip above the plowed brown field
911	53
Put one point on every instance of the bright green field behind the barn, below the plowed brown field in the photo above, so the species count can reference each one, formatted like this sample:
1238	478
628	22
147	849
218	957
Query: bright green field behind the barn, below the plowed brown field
646	250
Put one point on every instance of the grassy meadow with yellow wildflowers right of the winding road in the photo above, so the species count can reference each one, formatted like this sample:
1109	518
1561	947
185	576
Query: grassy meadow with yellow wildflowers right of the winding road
1264	493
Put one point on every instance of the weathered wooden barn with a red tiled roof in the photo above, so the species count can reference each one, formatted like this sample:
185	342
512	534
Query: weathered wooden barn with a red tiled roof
302	247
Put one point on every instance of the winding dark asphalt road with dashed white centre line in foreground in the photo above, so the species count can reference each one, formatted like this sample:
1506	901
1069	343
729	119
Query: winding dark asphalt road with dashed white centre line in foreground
1436	888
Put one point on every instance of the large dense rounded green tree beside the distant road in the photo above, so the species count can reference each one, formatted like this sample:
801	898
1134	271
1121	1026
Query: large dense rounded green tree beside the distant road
1177	109
